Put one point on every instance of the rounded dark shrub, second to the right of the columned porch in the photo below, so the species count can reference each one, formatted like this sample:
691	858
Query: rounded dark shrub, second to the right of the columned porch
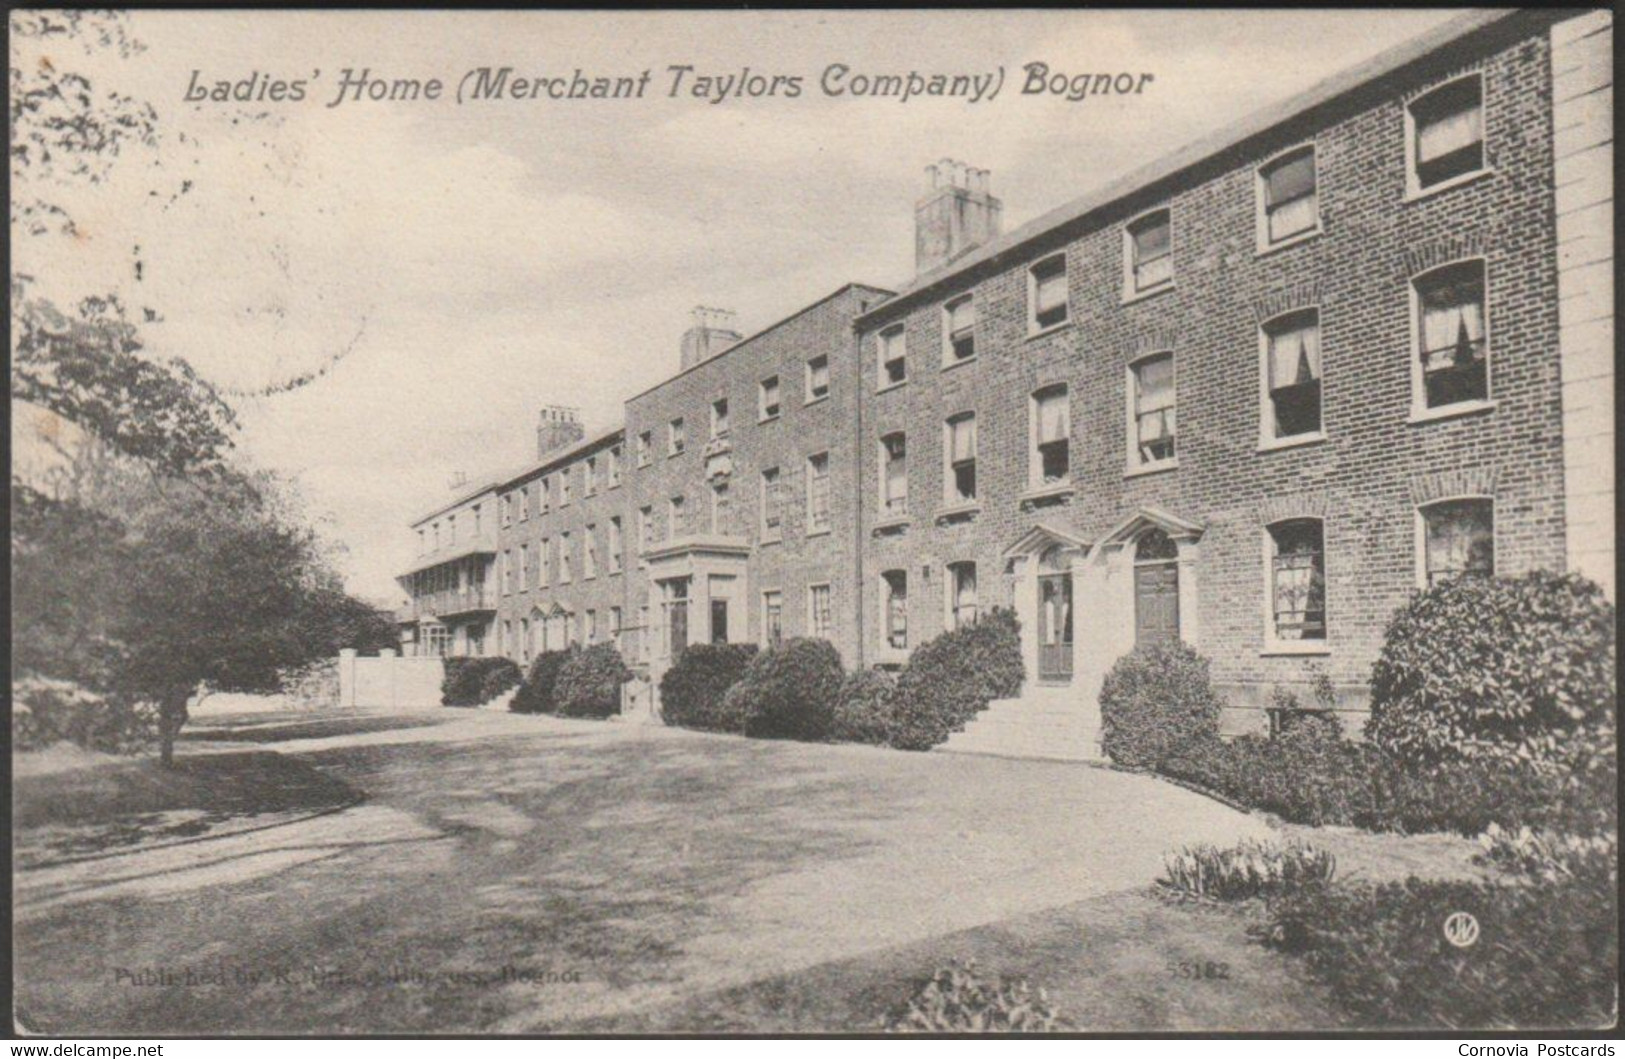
789	691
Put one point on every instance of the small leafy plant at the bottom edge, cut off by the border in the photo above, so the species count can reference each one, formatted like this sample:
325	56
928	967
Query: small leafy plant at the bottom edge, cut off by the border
958	1000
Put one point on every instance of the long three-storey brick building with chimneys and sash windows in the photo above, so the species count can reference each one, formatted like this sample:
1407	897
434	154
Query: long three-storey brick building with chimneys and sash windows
1249	397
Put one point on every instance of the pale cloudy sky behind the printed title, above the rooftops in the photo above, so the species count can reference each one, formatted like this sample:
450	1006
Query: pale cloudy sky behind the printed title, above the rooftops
456	267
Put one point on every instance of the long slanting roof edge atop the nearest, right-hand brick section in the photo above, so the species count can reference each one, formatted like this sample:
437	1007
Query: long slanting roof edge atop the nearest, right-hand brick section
1198	153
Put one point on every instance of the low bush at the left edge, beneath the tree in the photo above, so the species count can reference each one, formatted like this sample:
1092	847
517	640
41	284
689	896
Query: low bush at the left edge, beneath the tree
46	712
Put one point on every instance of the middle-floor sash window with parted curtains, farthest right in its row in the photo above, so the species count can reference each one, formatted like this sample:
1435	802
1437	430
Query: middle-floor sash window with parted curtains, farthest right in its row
1452	337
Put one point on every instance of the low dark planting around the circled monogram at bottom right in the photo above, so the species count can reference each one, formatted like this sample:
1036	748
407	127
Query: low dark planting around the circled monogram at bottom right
1546	954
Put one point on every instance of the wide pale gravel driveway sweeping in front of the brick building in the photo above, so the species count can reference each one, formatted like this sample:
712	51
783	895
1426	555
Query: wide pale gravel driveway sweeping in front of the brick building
509	873
